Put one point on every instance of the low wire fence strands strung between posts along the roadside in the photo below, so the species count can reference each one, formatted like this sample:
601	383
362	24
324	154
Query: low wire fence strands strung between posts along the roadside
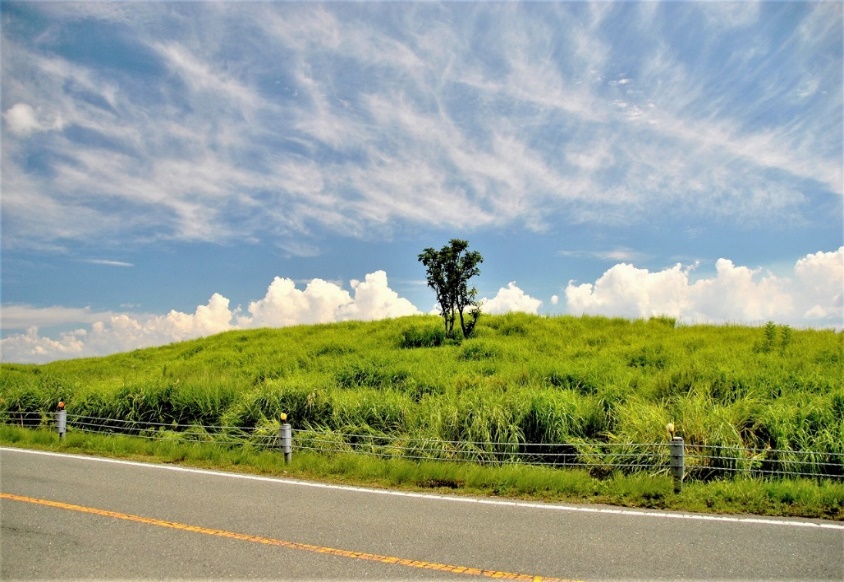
702	461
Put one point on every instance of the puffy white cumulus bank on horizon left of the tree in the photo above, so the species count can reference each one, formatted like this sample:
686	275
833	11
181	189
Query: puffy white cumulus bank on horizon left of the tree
282	305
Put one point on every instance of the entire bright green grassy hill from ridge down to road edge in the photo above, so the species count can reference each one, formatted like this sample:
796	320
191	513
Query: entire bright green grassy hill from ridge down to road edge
522	379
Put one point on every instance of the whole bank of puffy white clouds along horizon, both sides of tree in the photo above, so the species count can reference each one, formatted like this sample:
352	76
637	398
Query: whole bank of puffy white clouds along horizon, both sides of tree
812	297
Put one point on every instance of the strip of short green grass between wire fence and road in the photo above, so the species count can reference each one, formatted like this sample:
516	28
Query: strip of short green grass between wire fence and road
795	497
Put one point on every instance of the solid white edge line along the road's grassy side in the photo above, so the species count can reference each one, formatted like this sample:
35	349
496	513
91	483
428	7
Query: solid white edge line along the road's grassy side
433	496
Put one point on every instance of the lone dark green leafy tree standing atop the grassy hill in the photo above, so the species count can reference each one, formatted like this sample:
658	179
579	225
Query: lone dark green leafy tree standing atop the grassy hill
449	270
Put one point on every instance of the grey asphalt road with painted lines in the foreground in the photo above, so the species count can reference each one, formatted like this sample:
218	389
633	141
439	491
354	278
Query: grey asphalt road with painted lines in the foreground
81	517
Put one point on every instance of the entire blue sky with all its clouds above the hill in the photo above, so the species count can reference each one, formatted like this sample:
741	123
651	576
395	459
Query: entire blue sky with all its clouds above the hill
171	170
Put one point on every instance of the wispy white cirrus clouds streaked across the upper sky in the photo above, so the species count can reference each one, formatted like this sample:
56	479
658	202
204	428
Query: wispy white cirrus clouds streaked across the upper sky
293	117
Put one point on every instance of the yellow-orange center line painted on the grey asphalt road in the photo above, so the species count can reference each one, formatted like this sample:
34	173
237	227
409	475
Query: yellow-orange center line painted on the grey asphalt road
281	543
